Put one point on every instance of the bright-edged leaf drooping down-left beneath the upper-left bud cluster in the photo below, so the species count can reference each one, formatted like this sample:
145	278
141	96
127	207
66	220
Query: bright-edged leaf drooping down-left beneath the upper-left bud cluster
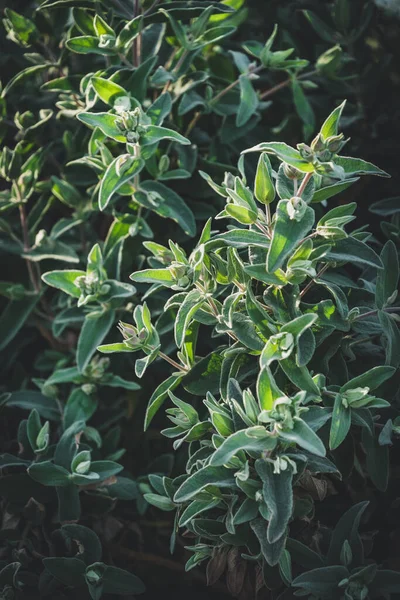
122	170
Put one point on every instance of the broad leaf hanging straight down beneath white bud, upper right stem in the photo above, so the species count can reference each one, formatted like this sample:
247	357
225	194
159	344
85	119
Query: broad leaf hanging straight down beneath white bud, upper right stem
287	234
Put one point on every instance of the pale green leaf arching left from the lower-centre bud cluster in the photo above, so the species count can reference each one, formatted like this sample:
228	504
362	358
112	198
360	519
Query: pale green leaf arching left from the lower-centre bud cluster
253	439
